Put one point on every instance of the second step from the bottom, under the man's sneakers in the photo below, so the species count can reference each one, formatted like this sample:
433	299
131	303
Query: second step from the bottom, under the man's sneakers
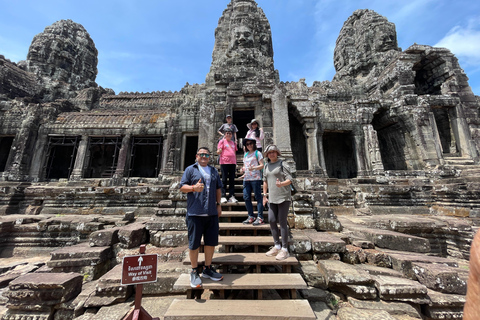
247	281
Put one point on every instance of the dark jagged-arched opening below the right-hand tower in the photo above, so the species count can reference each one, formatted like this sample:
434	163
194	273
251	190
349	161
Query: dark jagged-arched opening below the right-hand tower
391	141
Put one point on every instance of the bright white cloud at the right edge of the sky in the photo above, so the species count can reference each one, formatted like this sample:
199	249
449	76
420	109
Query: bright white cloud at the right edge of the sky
464	42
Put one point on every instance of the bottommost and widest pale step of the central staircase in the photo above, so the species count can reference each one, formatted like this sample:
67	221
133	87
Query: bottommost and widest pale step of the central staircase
239	309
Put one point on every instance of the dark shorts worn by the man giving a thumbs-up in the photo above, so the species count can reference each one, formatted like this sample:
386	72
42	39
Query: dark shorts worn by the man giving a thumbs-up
206	226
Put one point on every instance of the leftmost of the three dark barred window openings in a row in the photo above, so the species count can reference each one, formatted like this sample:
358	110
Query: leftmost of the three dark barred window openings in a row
61	155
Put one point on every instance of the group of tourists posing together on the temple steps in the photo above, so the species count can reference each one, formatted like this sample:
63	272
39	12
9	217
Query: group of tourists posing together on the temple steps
264	174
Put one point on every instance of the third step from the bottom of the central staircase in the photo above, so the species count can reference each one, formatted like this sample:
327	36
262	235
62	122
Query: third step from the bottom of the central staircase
246	259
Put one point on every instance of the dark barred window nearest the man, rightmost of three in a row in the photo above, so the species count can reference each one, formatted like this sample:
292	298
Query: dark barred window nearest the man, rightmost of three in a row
145	157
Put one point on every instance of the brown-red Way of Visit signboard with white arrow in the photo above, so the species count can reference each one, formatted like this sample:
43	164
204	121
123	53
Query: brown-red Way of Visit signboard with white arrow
139	269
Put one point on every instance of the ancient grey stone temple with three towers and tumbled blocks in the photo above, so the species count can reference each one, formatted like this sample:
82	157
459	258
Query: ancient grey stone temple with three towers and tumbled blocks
386	157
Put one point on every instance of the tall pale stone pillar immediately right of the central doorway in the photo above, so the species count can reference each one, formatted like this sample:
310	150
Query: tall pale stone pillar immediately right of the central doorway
281	126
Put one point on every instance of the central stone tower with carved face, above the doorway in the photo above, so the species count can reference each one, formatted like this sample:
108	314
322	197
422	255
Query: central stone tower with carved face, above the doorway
242	80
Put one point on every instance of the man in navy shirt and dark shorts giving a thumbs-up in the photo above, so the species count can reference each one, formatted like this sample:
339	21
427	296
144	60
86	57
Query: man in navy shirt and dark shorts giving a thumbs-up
203	185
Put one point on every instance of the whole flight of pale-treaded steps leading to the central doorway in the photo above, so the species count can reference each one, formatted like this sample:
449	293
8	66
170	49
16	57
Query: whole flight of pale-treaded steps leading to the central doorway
250	277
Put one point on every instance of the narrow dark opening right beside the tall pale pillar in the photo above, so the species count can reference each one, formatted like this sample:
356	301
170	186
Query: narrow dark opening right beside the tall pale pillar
298	142
